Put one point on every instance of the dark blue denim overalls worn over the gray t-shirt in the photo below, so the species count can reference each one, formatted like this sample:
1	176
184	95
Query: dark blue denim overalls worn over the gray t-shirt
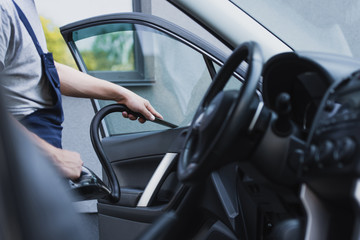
46	123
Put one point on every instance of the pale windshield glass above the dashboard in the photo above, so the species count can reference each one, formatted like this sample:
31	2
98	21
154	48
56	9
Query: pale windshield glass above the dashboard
310	25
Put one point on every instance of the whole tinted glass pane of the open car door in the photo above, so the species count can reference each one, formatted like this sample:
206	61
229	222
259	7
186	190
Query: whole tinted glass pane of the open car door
170	74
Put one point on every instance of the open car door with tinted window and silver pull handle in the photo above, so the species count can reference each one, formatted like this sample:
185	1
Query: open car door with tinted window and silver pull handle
172	69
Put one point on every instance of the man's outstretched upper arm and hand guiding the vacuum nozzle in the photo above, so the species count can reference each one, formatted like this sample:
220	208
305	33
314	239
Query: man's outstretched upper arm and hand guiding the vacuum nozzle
77	84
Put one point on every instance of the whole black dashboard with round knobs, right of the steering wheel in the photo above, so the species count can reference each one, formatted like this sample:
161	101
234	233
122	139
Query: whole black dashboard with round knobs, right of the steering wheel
324	92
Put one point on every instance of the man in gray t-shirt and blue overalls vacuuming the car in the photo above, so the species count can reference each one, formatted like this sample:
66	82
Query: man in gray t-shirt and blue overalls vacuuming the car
33	87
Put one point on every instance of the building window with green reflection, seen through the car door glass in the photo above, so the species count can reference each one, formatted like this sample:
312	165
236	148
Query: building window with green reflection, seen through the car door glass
112	52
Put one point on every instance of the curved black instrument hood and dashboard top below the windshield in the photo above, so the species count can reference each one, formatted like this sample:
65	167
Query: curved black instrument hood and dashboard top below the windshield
306	77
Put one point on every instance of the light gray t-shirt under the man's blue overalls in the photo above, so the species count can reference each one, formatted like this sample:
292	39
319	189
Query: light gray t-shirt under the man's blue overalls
25	88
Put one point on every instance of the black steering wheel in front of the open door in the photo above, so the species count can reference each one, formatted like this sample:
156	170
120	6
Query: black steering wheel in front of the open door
221	116
